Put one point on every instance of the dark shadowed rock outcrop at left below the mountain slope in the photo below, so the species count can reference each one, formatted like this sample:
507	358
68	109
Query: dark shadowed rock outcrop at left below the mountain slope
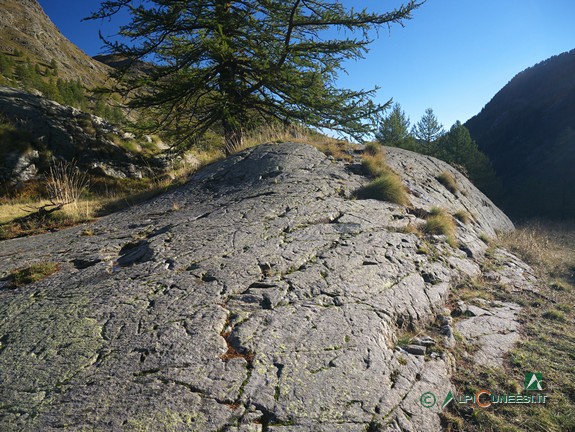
69	134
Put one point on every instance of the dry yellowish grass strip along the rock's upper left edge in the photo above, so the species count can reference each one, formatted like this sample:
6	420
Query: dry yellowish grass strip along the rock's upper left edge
31	212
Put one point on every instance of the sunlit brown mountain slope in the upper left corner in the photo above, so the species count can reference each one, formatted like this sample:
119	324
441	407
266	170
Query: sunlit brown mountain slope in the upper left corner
26	28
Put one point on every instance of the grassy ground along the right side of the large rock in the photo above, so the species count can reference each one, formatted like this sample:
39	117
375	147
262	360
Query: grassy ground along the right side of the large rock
547	340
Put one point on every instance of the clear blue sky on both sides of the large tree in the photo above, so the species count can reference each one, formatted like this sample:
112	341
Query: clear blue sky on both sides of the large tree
453	56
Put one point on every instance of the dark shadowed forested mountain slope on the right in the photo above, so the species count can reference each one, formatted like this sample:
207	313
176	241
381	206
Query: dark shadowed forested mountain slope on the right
528	132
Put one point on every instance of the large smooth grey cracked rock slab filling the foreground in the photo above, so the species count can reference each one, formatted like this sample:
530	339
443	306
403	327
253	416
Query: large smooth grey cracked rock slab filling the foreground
261	296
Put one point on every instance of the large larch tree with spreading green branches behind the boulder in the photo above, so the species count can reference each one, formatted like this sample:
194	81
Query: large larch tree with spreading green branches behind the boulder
230	64
